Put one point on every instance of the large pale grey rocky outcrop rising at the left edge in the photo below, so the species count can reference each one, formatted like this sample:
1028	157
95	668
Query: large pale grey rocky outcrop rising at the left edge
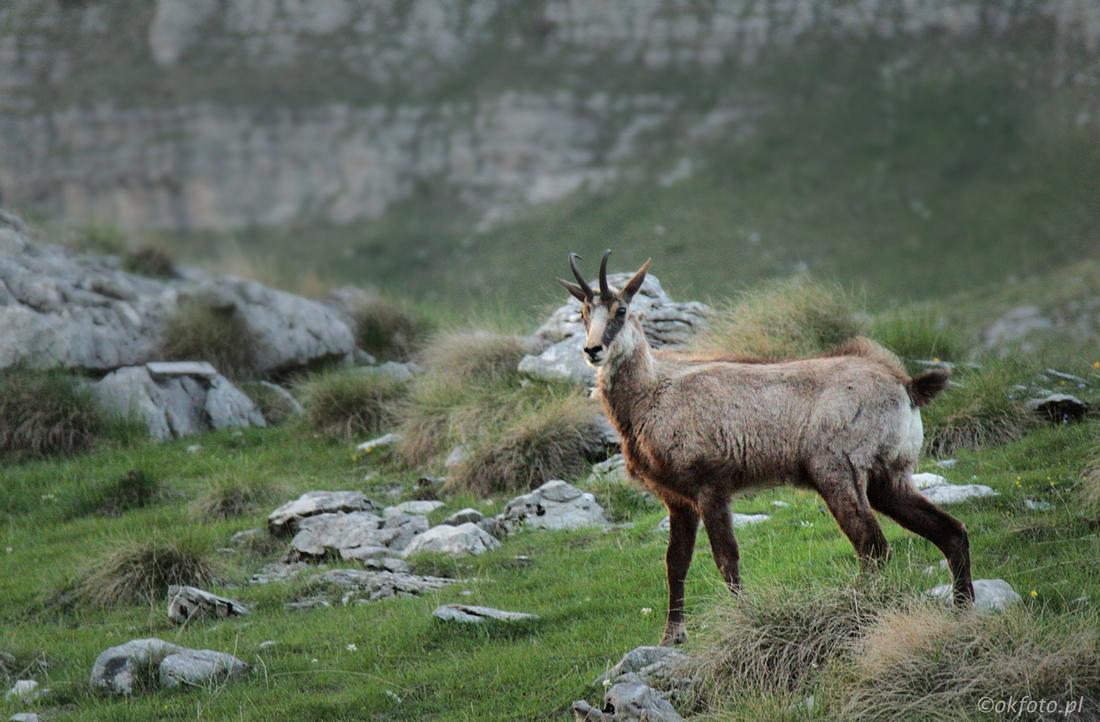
63	310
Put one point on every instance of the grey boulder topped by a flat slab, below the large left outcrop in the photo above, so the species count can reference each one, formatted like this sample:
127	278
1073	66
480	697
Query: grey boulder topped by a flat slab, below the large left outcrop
174	407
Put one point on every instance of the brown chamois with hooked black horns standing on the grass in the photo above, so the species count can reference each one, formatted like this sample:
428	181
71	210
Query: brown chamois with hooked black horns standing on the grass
696	432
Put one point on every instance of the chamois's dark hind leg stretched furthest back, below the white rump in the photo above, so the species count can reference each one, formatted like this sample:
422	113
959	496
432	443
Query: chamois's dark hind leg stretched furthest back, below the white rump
894	495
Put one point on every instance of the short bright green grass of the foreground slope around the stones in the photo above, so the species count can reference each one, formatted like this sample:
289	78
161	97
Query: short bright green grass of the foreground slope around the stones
589	587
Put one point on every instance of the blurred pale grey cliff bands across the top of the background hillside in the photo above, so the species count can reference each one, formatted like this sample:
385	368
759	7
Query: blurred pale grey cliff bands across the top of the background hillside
159	117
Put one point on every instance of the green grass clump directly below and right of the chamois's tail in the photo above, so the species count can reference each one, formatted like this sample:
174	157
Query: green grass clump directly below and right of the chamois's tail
982	408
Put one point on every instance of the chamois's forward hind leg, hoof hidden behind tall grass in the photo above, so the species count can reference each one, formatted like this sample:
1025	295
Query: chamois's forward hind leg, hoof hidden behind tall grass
843	486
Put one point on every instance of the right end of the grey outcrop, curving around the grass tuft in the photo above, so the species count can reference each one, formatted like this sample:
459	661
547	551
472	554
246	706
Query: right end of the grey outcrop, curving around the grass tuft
287	332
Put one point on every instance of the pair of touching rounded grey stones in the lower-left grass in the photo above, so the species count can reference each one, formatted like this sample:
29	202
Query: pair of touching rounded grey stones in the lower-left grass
142	664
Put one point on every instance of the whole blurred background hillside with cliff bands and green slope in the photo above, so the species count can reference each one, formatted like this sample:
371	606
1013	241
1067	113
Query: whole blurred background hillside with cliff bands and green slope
455	151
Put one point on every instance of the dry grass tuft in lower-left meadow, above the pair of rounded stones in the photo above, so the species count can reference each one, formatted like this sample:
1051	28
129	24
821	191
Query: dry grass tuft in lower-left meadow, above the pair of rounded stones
135	573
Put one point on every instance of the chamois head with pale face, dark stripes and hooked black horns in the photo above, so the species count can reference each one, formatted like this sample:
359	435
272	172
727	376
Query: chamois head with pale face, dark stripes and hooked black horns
604	315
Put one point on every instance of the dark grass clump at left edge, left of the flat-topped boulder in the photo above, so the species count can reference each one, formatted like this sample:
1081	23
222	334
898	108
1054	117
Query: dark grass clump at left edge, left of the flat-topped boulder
46	413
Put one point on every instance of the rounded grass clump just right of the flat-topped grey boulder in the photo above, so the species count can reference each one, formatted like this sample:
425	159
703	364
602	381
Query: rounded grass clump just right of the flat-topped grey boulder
351	403
